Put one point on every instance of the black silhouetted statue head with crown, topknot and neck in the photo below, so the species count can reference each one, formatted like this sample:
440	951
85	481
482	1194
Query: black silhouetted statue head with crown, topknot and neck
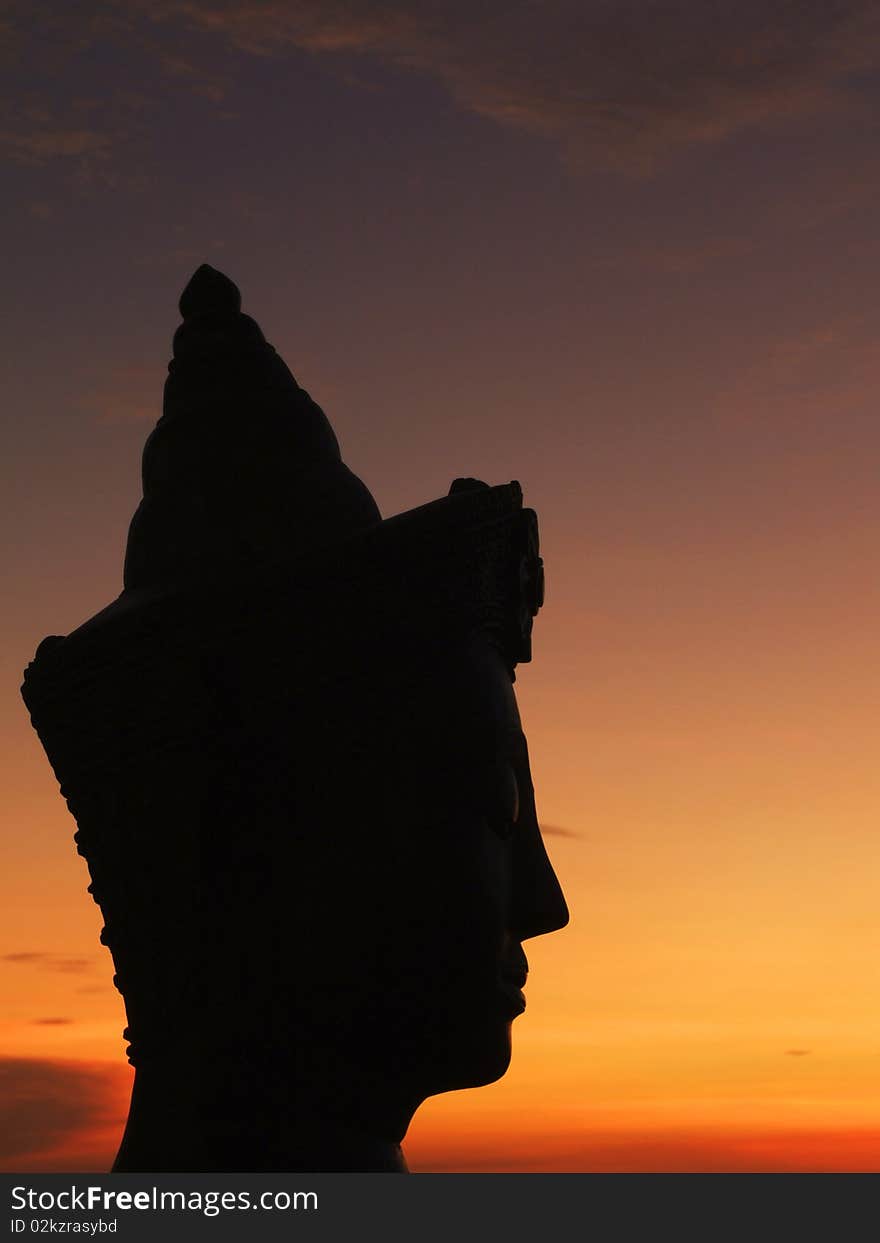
295	759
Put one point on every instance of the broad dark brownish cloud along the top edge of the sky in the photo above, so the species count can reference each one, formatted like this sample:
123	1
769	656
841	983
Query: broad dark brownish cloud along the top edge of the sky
618	81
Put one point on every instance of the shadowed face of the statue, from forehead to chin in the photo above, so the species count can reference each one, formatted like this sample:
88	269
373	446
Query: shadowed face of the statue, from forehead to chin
441	878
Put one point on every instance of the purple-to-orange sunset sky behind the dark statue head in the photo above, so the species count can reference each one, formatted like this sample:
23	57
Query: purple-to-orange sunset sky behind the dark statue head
626	253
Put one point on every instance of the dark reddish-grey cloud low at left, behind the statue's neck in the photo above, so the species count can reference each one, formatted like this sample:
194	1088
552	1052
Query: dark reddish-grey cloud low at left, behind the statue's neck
53	1108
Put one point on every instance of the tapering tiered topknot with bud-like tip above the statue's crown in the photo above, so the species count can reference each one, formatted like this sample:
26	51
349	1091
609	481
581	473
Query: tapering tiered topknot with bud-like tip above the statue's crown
244	468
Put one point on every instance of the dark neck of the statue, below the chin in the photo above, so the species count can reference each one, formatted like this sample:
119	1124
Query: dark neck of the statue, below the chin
221	1122
